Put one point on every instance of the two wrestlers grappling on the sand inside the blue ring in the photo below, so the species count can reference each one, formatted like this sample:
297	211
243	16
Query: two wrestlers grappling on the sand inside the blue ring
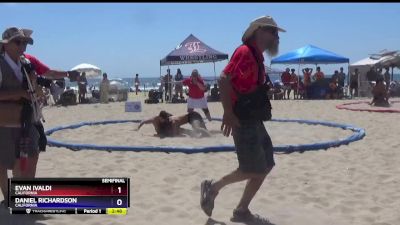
167	125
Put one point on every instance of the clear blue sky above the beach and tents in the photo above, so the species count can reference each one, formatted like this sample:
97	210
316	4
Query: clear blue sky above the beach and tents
128	38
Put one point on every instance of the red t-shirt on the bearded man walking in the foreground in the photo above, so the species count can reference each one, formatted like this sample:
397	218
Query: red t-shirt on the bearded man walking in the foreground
243	70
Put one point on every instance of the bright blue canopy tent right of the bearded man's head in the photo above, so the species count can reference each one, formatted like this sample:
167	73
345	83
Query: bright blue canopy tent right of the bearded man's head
310	54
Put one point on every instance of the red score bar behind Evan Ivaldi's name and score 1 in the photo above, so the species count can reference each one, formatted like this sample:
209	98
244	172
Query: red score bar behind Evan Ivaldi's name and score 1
96	190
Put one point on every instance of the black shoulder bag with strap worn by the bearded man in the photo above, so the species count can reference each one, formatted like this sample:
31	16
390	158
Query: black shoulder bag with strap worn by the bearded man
254	105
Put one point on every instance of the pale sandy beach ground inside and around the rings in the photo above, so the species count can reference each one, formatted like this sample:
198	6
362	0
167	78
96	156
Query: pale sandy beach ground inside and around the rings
357	184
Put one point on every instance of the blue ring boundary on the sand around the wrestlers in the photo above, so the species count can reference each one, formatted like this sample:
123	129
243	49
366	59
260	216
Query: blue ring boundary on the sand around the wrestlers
358	134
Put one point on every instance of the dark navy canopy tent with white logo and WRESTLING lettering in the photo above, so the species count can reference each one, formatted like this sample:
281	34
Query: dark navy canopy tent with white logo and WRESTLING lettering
191	51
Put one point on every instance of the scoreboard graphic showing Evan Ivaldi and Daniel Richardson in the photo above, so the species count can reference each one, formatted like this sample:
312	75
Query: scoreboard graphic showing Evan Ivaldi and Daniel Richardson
69	196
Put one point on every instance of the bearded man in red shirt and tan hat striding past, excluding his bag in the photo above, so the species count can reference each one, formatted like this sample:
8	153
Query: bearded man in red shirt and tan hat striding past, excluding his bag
253	145
